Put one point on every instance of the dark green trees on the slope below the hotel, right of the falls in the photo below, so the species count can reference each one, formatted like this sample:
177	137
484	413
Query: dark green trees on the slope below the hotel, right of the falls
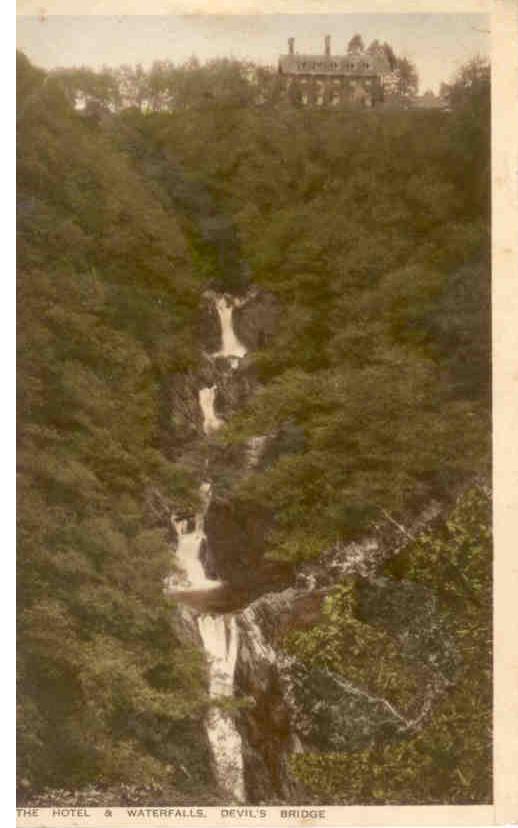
375	243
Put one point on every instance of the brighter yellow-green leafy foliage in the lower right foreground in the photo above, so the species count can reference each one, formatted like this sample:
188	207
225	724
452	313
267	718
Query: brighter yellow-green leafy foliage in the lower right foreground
448	760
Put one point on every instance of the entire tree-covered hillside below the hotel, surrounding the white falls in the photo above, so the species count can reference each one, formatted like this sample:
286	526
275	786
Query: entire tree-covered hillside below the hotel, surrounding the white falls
351	251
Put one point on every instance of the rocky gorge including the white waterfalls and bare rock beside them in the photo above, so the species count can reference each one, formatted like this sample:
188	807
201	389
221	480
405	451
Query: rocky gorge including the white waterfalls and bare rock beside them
243	607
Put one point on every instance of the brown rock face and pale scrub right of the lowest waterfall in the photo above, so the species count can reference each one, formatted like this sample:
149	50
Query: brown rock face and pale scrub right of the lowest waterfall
296	706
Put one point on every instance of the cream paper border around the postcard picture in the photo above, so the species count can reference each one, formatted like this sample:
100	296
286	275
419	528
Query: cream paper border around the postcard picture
504	28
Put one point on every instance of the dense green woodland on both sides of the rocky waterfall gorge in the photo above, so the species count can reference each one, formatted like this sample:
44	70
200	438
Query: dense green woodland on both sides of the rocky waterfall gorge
372	231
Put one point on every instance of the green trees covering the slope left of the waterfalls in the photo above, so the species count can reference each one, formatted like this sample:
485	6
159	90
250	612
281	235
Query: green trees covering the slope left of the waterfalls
107	303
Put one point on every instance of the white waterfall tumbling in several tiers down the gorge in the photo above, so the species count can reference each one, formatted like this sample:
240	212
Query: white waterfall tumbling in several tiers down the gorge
219	633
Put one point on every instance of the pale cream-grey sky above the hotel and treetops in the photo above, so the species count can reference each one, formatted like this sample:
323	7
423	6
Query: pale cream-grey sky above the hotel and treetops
437	43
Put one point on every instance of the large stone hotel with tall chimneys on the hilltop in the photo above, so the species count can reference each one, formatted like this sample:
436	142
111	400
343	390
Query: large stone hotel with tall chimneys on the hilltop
354	78
